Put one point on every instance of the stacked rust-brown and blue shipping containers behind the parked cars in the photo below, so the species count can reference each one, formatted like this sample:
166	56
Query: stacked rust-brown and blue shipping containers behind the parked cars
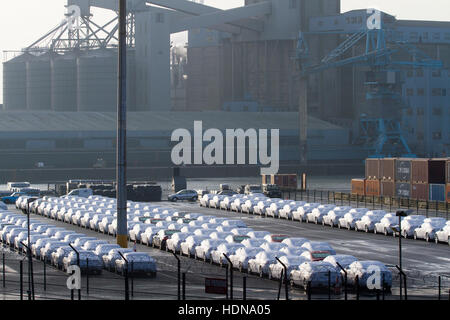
419	179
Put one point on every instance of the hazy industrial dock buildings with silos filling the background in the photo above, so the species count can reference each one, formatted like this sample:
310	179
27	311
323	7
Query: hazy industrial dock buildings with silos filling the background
298	65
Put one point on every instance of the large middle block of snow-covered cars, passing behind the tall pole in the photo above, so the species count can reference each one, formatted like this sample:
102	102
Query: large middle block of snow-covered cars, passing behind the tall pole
210	238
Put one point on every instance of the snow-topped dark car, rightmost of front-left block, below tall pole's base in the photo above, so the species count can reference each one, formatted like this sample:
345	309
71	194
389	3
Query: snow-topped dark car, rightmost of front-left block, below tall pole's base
138	262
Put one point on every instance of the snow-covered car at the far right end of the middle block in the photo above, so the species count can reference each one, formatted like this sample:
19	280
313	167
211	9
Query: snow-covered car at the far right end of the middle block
364	269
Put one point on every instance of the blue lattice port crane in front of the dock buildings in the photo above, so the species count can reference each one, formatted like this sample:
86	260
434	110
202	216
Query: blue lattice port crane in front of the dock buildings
381	137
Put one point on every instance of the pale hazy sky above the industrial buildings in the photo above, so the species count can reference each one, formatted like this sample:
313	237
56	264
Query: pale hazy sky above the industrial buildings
24	21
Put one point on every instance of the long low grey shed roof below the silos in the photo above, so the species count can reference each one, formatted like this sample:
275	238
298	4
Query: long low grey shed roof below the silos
152	121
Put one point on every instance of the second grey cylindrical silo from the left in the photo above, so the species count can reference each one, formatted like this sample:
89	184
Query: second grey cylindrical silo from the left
39	83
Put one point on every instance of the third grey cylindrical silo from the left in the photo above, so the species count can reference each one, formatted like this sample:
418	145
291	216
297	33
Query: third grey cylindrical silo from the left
64	83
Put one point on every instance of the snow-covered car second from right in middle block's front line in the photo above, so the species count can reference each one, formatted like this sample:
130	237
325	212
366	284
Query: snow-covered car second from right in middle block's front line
318	274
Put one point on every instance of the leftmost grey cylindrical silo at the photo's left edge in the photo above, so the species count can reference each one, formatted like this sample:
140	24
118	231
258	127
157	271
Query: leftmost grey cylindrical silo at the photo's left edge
15	83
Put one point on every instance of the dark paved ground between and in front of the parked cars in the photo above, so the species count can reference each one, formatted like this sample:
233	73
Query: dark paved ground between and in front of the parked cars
423	262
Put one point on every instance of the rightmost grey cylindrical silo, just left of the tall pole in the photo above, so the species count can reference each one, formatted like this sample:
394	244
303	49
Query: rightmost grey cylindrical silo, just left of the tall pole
97	81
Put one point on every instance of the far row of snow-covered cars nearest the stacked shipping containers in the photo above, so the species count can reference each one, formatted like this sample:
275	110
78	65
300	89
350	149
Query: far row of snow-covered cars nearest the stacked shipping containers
359	219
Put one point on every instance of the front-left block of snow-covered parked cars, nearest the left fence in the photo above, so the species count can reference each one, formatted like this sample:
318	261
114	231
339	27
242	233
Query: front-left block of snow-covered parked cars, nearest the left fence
51	244
